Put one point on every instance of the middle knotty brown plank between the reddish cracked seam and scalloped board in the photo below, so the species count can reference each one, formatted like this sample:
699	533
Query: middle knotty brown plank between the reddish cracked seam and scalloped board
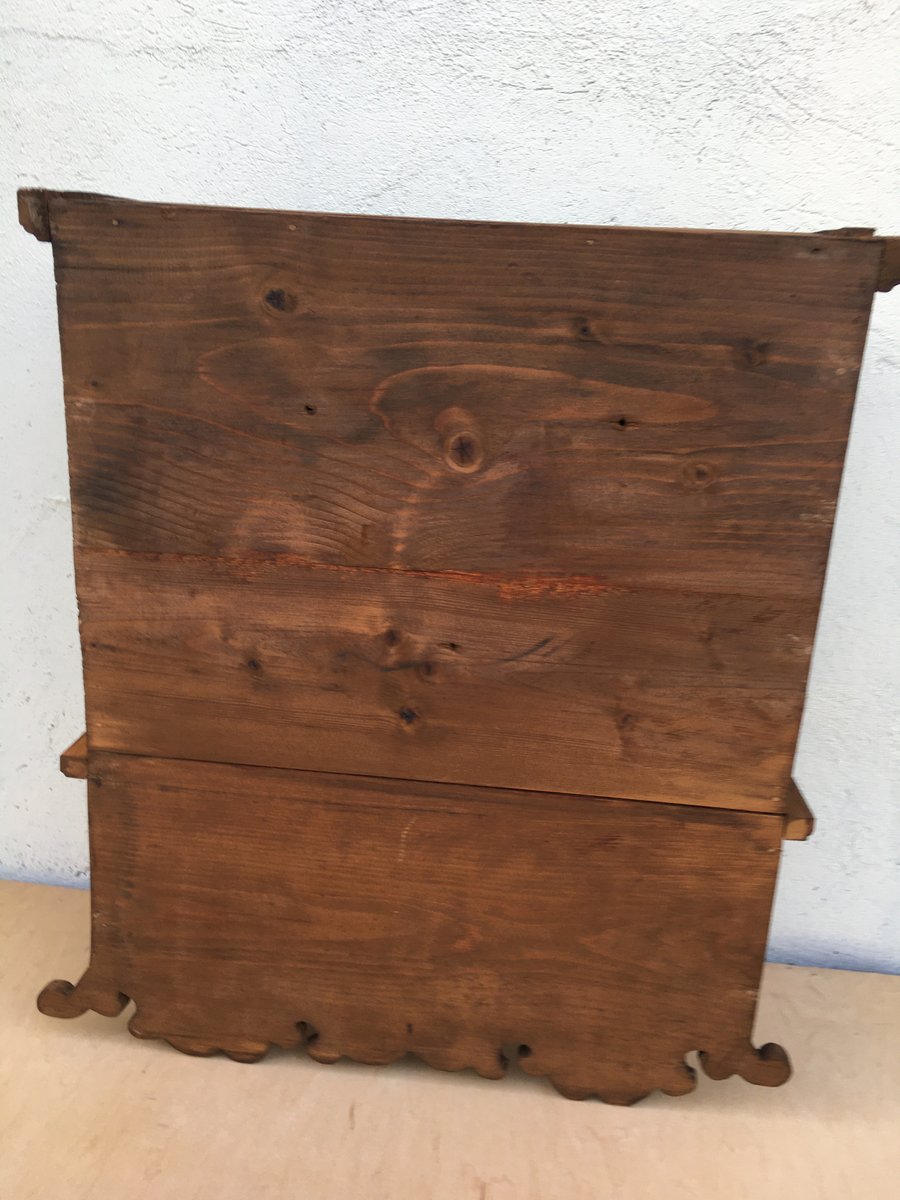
541	685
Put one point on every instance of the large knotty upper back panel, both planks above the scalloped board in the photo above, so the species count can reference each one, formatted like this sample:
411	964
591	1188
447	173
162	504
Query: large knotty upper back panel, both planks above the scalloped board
638	434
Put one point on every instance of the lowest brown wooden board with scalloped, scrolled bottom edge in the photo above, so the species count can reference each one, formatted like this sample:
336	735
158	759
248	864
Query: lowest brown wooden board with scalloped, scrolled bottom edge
242	908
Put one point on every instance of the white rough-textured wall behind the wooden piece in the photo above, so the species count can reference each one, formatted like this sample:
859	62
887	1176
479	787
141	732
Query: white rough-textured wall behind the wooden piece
717	113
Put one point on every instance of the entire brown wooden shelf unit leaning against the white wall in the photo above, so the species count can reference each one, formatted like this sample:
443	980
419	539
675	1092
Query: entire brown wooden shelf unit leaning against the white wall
447	596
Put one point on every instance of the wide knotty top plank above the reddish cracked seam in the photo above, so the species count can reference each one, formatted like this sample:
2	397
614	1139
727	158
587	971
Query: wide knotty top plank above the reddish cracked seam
649	407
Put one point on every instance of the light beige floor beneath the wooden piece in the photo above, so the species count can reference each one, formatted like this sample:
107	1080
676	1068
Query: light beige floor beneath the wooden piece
87	1111
